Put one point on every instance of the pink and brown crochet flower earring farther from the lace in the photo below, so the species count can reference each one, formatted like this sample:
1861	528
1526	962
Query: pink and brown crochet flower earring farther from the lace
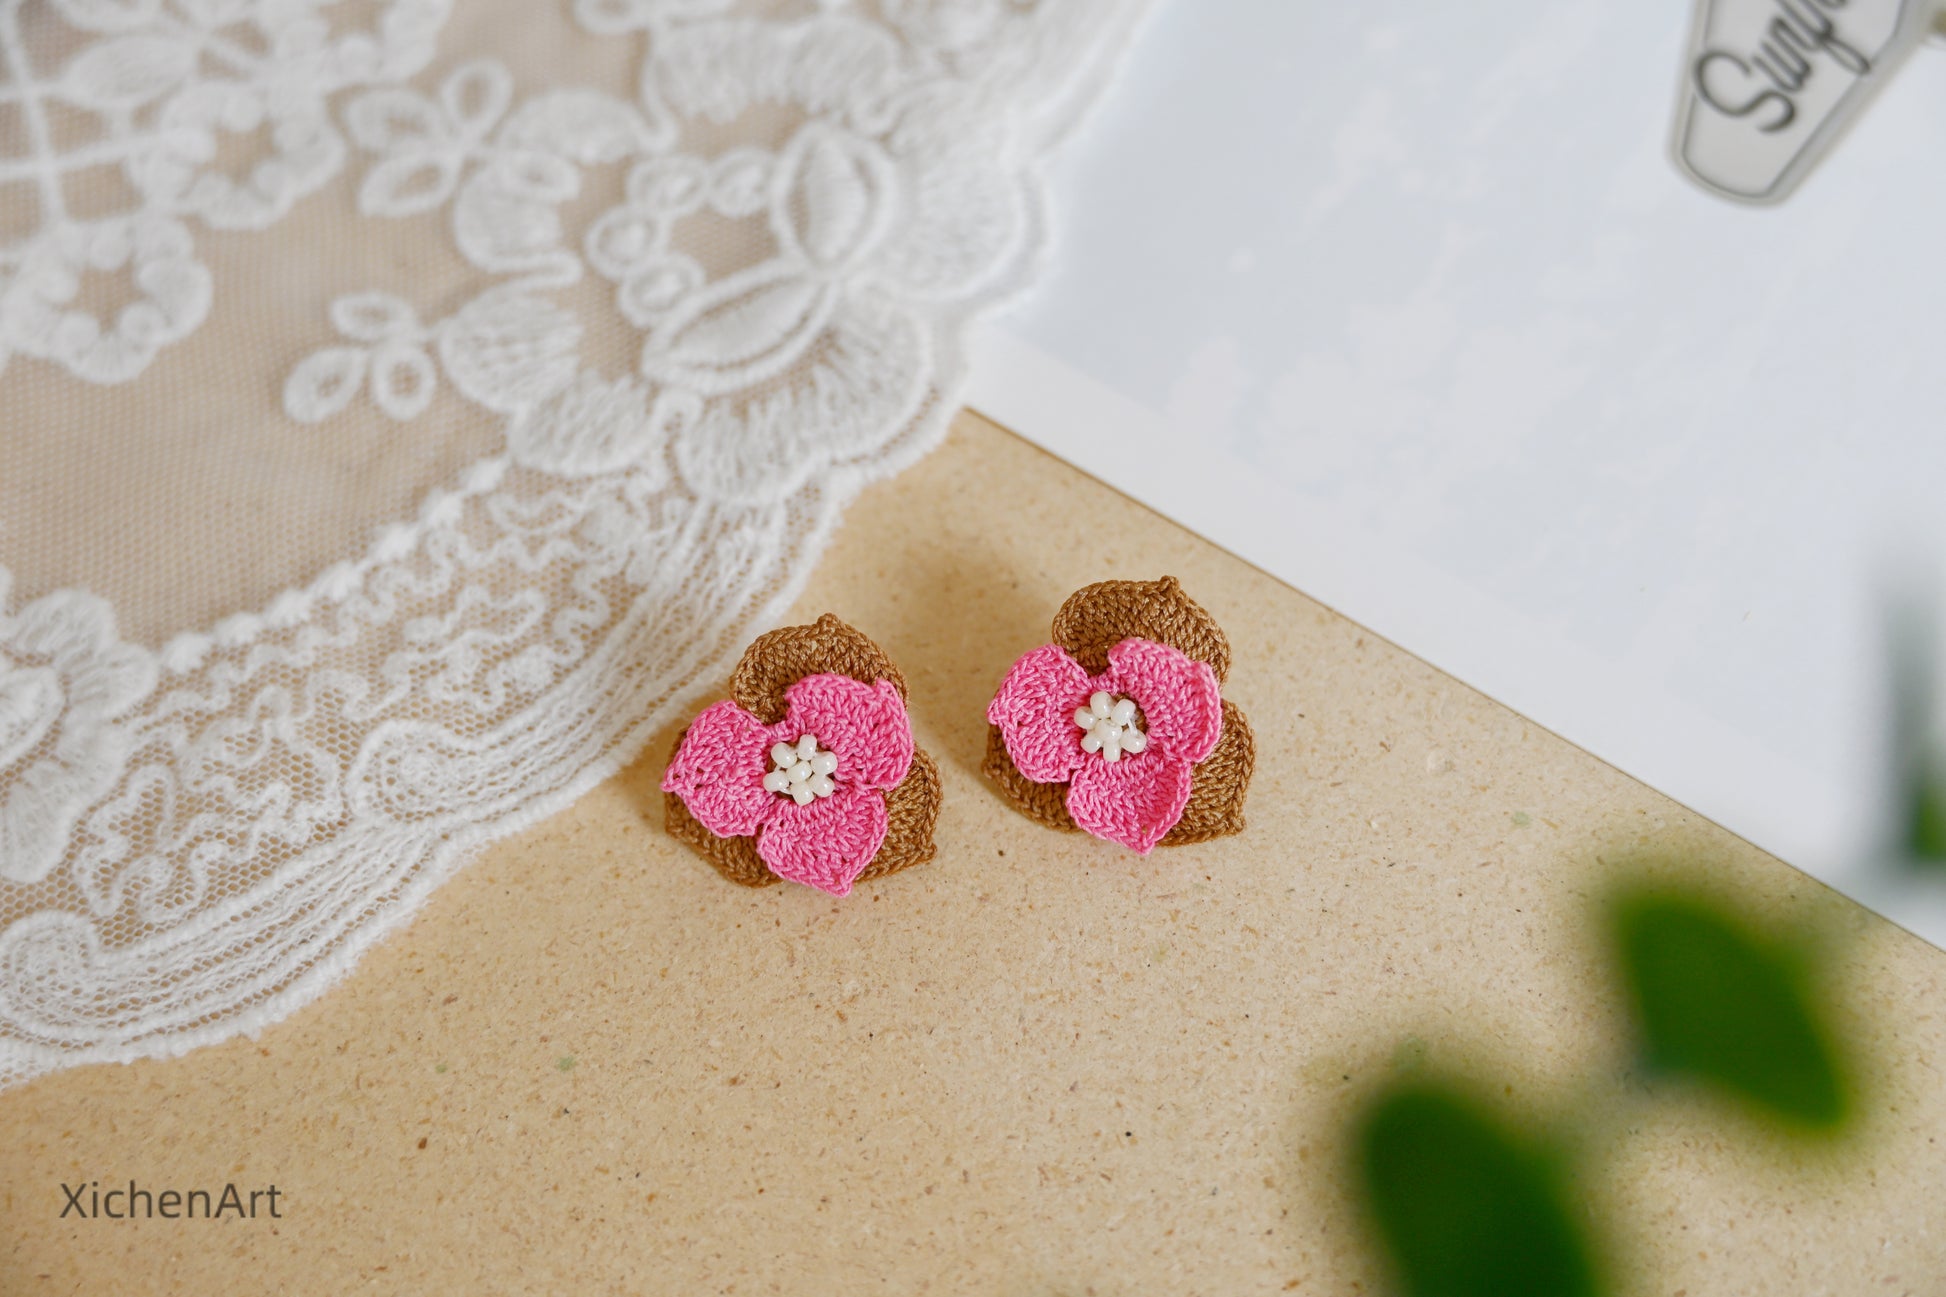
1120	727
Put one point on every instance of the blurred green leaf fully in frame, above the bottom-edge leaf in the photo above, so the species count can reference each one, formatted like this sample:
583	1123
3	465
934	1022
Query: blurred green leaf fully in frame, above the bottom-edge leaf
1729	1008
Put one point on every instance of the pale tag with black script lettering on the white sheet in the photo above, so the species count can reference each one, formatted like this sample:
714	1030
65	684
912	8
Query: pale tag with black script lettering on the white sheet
1772	85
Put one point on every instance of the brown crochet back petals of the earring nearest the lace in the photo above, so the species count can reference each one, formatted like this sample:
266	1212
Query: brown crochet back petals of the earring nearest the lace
770	667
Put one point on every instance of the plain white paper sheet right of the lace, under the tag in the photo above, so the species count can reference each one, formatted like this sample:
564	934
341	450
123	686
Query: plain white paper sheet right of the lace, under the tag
1408	305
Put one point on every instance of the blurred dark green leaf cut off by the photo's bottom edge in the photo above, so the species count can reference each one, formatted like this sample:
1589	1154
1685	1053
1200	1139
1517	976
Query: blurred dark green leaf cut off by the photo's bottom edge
1466	1208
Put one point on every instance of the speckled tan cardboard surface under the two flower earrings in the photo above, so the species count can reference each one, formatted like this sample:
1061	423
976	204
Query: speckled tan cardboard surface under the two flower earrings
1034	1066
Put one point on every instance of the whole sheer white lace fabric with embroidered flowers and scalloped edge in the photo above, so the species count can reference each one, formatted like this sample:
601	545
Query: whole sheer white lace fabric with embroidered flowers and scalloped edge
408	408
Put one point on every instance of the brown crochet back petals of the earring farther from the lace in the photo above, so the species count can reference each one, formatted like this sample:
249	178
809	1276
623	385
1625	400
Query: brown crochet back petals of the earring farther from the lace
1095	620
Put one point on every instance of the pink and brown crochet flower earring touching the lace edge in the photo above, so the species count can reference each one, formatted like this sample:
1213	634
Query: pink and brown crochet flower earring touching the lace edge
809	772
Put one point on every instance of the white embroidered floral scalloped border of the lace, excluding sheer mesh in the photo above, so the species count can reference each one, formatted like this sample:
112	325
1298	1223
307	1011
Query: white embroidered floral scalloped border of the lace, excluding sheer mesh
240	815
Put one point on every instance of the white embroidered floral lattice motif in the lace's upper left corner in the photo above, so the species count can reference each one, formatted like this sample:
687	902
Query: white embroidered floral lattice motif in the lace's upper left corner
164	87
